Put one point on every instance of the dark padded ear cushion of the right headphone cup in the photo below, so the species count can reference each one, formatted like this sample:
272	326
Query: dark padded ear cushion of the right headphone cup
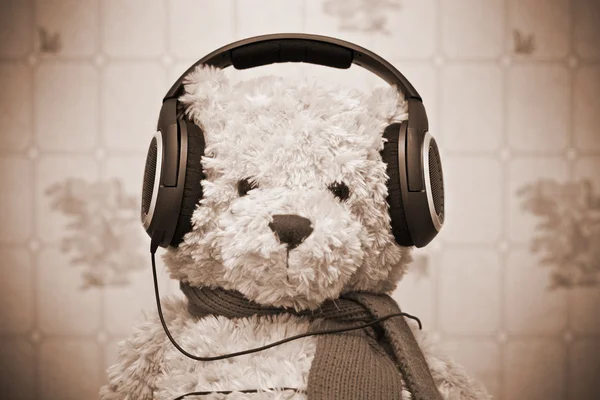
389	154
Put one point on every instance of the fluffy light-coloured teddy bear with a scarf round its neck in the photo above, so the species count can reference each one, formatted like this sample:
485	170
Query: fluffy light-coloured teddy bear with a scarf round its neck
282	152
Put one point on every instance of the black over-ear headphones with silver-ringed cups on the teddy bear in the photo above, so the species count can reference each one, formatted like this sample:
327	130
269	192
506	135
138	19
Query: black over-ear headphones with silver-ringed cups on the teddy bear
171	188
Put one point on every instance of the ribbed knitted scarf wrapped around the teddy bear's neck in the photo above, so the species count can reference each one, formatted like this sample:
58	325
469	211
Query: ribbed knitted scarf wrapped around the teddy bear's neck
371	363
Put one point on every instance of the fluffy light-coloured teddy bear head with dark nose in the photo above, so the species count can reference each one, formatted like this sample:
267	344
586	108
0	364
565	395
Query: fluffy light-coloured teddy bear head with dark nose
294	208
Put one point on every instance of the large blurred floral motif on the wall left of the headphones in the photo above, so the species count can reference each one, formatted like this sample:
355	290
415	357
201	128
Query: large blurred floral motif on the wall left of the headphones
103	233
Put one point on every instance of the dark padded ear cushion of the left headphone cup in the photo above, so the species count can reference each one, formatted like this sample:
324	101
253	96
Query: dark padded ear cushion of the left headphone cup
192	189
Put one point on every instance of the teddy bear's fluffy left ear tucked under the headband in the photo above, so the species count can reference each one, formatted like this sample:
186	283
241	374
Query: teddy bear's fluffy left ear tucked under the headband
202	87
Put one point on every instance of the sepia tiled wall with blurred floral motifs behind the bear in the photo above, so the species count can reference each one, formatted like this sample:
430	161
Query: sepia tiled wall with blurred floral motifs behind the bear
510	288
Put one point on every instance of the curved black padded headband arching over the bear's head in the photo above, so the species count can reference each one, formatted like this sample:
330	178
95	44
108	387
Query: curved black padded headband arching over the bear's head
299	47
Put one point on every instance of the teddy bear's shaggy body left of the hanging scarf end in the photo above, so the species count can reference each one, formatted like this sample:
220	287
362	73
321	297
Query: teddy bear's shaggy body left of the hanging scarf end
163	373
